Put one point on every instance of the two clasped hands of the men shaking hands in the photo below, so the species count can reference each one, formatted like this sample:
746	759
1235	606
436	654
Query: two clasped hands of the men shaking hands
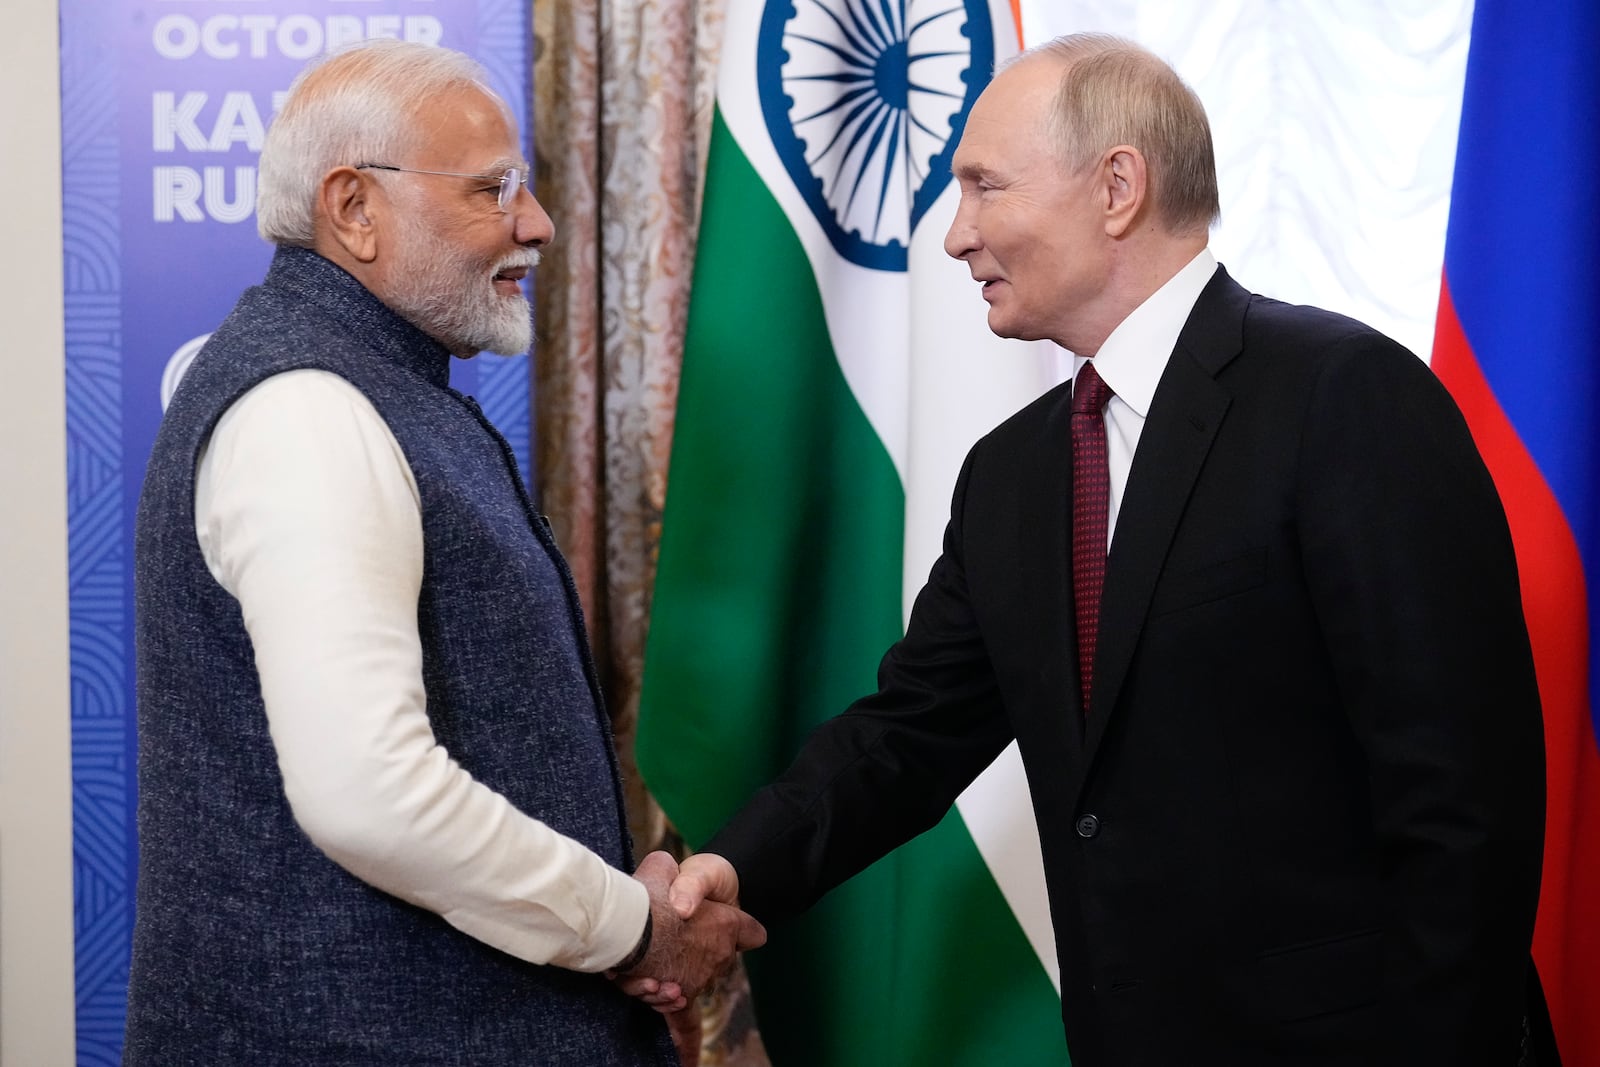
697	930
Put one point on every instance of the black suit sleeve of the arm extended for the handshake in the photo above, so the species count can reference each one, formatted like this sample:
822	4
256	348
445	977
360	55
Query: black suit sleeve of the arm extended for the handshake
887	769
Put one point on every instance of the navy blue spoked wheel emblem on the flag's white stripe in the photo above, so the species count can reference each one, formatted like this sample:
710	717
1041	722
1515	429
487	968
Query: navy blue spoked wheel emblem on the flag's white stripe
865	102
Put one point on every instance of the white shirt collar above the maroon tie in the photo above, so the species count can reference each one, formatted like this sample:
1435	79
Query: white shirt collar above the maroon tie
1135	354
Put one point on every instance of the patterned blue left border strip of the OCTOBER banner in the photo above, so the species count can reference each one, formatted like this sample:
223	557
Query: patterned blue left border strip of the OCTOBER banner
103	849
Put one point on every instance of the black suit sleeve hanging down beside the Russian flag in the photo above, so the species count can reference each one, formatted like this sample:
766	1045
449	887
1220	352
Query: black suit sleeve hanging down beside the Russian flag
1415	585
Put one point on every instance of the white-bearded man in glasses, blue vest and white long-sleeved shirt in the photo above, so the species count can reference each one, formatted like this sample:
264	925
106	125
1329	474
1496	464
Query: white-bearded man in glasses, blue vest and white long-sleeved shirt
380	817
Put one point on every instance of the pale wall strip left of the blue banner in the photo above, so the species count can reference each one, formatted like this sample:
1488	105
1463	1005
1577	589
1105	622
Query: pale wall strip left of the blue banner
36	794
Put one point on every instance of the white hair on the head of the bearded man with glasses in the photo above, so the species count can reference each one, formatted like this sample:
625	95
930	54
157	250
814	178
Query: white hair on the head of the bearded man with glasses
354	106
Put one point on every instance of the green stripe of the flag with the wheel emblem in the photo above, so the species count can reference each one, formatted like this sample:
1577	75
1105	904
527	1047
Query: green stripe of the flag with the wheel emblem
778	589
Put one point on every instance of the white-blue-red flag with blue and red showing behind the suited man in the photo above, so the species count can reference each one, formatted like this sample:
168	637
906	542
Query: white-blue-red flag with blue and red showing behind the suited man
1519	348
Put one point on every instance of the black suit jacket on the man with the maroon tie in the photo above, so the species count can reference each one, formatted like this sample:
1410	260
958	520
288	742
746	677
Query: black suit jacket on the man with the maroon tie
1305	820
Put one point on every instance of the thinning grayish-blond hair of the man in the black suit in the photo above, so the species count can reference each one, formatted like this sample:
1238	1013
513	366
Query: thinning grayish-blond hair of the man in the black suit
1114	92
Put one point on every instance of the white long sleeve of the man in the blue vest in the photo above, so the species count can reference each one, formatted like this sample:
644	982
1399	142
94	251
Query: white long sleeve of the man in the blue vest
308	514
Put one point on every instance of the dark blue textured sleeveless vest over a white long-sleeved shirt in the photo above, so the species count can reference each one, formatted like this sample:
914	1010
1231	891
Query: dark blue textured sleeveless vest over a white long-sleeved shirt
250	946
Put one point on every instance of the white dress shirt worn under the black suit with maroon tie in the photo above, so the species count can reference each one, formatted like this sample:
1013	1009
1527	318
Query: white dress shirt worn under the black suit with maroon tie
1132	362
